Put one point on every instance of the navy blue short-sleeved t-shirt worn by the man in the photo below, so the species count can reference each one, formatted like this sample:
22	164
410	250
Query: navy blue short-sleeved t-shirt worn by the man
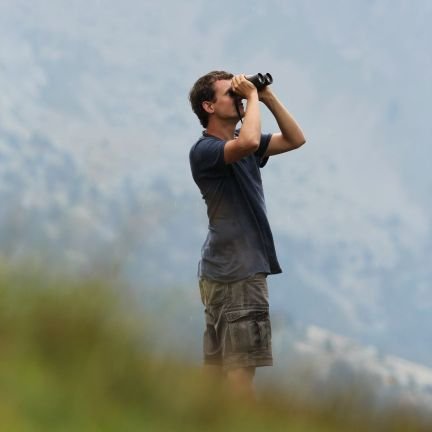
239	242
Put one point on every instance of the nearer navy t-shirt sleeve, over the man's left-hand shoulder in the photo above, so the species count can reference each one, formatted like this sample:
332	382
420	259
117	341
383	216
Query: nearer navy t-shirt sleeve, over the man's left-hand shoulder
208	155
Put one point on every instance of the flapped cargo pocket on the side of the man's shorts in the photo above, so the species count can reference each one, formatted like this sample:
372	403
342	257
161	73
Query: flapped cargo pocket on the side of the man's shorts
249	329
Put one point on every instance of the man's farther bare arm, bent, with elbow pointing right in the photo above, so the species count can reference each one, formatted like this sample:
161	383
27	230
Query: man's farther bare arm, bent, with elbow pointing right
291	136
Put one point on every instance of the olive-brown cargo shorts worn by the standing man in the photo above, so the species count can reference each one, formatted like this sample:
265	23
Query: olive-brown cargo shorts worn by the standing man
238	332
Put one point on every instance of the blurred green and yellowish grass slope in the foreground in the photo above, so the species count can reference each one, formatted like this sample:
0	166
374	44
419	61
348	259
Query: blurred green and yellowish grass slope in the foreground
75	356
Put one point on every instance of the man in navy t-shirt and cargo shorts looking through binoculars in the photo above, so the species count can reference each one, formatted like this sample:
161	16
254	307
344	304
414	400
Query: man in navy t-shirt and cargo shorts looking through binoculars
238	252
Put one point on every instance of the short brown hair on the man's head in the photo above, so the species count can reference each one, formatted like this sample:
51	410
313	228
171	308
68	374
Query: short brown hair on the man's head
203	90
